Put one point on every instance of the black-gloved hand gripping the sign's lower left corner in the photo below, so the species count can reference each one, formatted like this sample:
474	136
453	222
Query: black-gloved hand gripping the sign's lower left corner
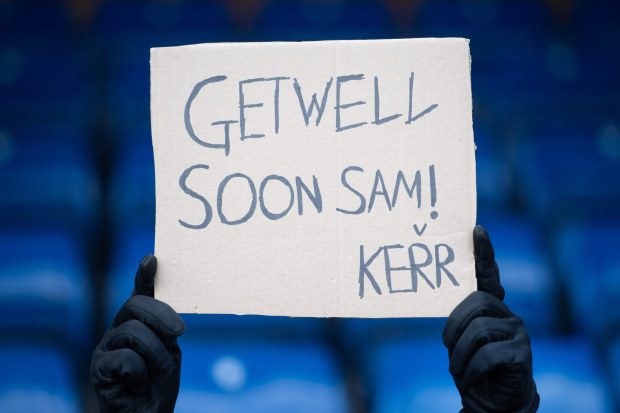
137	365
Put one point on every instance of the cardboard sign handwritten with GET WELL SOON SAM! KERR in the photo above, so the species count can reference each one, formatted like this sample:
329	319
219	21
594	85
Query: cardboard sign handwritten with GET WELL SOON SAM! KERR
314	178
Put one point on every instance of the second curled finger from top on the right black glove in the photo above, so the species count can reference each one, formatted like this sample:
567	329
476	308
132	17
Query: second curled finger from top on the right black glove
480	332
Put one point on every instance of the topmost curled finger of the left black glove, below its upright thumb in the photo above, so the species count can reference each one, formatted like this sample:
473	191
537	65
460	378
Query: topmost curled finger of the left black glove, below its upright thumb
154	313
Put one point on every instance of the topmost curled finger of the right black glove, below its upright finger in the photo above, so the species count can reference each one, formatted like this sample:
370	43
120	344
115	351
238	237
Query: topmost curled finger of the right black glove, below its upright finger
477	304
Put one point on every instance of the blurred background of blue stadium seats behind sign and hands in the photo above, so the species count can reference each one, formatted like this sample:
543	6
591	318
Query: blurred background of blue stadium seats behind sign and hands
77	203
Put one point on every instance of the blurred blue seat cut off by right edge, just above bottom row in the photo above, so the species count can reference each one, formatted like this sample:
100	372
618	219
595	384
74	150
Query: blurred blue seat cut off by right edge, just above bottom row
587	257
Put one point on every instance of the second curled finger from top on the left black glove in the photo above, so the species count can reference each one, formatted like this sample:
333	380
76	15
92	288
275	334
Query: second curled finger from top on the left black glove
138	337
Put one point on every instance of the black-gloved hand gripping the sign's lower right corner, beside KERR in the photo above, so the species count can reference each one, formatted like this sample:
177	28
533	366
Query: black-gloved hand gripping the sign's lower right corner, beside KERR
488	346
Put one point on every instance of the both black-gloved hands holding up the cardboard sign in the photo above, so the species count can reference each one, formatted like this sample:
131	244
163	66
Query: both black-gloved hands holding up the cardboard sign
136	367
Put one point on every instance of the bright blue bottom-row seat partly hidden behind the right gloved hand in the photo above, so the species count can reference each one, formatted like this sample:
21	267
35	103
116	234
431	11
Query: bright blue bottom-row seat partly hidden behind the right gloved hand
413	376
